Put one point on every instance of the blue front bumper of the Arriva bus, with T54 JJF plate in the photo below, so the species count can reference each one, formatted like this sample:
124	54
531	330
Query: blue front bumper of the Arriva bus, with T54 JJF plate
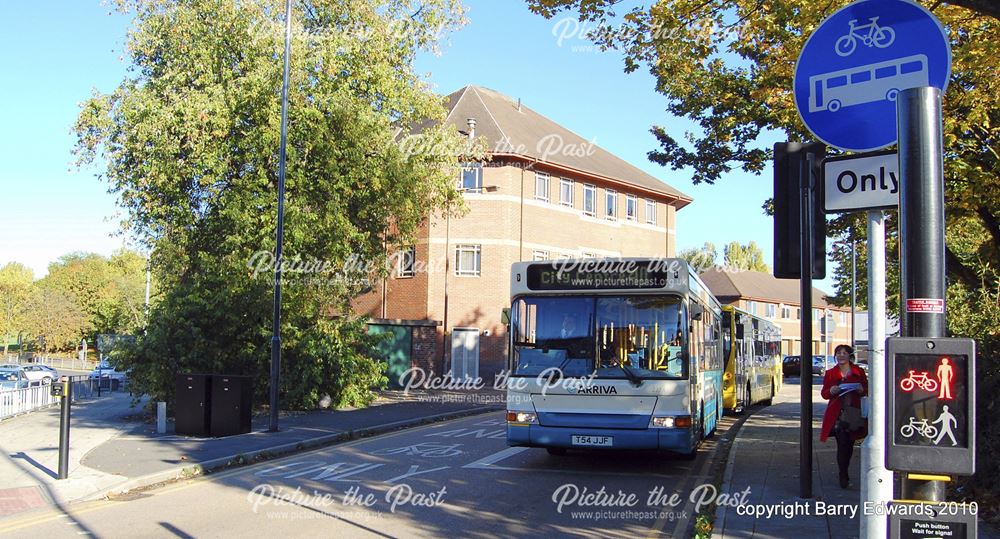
678	440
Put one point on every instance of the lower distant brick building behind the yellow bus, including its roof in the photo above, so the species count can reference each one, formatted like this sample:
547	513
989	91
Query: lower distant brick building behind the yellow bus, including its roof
778	300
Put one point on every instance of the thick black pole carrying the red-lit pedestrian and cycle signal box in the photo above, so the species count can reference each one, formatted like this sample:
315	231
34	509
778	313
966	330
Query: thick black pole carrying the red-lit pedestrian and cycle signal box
921	232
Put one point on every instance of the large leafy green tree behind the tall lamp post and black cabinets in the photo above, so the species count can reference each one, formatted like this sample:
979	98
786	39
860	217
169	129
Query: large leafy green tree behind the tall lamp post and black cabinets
190	141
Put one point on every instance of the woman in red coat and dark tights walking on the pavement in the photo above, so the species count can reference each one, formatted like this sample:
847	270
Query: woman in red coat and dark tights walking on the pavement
843	386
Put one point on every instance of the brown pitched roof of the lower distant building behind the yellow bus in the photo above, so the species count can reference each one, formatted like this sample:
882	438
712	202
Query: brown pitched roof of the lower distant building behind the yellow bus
759	286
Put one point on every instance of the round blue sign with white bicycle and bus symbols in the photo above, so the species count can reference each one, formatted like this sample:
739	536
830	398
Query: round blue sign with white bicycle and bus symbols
854	65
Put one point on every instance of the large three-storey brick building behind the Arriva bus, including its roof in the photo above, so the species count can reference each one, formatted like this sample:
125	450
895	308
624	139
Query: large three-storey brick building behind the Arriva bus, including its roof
545	193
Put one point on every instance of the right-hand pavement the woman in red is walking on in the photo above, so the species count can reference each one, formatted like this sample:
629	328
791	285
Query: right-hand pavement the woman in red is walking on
764	458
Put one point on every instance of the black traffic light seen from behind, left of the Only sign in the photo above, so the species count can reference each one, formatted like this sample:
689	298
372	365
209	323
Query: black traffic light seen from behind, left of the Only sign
790	159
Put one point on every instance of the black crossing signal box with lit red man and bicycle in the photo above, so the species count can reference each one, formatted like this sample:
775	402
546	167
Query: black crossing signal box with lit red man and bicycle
932	405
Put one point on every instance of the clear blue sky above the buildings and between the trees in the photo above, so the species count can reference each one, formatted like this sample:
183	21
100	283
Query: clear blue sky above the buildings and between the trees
54	57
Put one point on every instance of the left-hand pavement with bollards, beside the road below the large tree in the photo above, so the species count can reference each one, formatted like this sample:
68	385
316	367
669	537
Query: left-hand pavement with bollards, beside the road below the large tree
113	451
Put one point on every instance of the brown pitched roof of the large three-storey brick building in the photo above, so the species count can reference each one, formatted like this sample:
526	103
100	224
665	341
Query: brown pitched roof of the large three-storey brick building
514	129
